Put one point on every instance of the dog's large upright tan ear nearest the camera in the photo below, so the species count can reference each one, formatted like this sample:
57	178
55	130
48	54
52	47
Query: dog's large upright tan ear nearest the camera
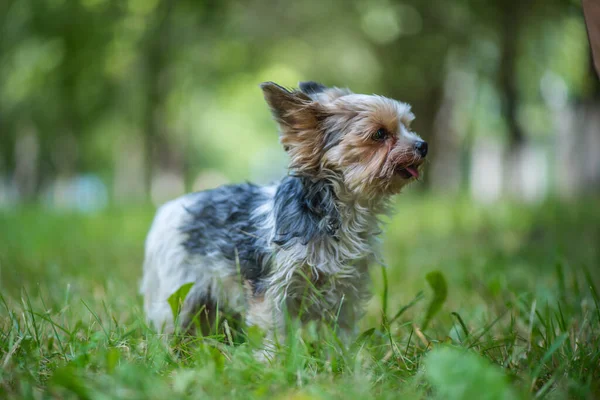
299	119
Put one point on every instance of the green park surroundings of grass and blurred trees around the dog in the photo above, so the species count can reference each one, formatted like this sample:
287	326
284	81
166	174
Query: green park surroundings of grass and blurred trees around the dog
108	108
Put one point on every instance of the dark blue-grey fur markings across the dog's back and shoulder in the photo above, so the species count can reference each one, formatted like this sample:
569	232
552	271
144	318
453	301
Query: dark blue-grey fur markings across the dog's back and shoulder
222	222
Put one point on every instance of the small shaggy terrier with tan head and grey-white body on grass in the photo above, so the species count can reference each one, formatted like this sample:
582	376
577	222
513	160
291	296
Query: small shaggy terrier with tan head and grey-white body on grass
302	245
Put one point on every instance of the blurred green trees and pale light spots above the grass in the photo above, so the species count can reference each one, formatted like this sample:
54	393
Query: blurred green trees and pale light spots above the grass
108	102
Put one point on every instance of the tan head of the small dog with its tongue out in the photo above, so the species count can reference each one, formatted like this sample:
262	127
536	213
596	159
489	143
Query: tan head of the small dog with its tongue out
364	139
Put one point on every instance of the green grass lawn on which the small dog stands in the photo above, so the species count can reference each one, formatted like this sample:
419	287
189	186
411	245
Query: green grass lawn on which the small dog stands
476	302
